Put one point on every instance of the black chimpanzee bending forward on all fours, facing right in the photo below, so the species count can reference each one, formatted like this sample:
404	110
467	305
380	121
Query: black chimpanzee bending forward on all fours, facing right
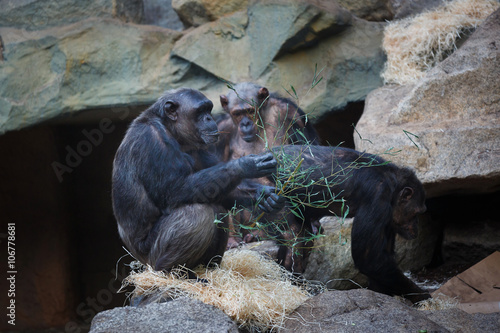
385	200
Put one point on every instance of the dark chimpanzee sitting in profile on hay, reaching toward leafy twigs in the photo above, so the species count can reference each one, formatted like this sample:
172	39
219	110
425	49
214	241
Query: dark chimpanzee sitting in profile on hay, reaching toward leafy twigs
167	187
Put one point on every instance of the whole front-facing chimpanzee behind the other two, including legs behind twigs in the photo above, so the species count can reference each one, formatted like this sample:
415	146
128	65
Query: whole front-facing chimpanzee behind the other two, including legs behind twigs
256	120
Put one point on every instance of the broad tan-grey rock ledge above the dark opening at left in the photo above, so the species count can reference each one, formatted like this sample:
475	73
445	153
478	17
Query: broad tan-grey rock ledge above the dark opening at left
89	64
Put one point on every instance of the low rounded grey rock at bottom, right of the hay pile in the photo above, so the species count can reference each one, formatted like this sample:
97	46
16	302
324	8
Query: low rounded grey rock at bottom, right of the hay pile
357	310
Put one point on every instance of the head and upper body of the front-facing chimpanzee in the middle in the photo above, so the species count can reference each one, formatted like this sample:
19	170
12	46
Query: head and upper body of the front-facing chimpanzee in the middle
258	120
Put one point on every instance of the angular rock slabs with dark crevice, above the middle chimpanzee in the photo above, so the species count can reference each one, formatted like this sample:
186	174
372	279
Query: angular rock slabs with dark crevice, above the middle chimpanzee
307	36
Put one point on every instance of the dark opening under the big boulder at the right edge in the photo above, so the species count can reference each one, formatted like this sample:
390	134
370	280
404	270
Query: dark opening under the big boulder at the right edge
469	231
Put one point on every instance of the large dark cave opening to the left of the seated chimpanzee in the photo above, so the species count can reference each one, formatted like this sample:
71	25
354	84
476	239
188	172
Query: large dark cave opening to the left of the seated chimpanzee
56	188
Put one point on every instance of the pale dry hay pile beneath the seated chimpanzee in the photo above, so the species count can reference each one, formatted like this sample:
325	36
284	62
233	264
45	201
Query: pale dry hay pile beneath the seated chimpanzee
254	291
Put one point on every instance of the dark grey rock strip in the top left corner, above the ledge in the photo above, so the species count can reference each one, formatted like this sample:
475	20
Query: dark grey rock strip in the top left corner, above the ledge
39	14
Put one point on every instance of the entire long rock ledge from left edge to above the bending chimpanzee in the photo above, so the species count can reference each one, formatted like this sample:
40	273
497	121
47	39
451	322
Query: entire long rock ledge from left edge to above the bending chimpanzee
102	63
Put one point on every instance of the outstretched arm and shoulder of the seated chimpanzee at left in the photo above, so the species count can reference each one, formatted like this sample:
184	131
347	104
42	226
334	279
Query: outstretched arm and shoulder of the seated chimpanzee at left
179	184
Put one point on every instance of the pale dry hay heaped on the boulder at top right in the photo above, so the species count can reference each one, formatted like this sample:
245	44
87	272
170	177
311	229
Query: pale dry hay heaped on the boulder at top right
415	44
